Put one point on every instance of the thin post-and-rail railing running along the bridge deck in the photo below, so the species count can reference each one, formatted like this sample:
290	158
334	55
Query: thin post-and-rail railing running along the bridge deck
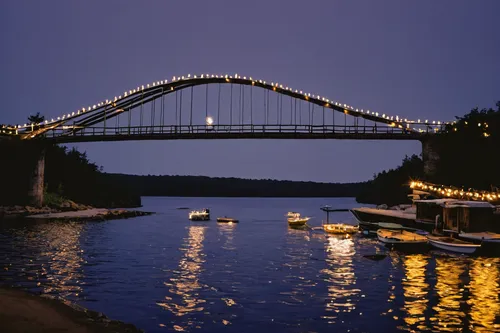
235	129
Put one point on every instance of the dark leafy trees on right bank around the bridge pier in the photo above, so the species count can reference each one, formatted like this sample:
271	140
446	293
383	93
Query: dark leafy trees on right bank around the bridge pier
468	157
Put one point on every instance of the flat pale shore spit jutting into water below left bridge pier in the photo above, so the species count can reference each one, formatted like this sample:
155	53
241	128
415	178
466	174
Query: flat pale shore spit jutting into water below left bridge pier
89	214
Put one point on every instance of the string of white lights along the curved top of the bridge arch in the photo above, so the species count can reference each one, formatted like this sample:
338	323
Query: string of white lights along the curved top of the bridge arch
275	86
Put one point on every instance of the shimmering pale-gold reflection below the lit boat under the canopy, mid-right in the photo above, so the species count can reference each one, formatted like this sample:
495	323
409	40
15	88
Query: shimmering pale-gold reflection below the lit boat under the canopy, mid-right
341	278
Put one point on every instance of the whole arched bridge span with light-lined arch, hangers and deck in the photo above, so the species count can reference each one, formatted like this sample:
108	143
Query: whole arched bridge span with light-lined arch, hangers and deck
240	107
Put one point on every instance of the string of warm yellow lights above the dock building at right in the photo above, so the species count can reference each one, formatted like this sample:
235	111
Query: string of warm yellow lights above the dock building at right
454	192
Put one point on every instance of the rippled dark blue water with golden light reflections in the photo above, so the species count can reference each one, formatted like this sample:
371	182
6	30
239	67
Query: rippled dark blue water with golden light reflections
164	273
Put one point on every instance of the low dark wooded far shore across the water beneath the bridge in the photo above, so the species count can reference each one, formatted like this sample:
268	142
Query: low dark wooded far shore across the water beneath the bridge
230	187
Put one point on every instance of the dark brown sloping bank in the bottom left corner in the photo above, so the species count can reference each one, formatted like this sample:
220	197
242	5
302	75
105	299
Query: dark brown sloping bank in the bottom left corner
23	312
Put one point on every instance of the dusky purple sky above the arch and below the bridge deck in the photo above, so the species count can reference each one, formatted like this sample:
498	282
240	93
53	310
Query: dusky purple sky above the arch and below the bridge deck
426	59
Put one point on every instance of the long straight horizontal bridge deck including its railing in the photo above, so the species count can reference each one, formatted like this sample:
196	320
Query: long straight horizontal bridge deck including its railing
182	132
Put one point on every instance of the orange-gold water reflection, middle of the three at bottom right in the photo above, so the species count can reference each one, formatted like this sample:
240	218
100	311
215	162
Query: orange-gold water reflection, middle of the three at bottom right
448	313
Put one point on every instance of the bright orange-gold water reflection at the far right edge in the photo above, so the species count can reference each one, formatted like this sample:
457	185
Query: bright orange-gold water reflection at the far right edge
484	297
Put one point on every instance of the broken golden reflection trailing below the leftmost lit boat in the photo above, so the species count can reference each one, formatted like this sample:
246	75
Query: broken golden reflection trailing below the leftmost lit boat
184	286
